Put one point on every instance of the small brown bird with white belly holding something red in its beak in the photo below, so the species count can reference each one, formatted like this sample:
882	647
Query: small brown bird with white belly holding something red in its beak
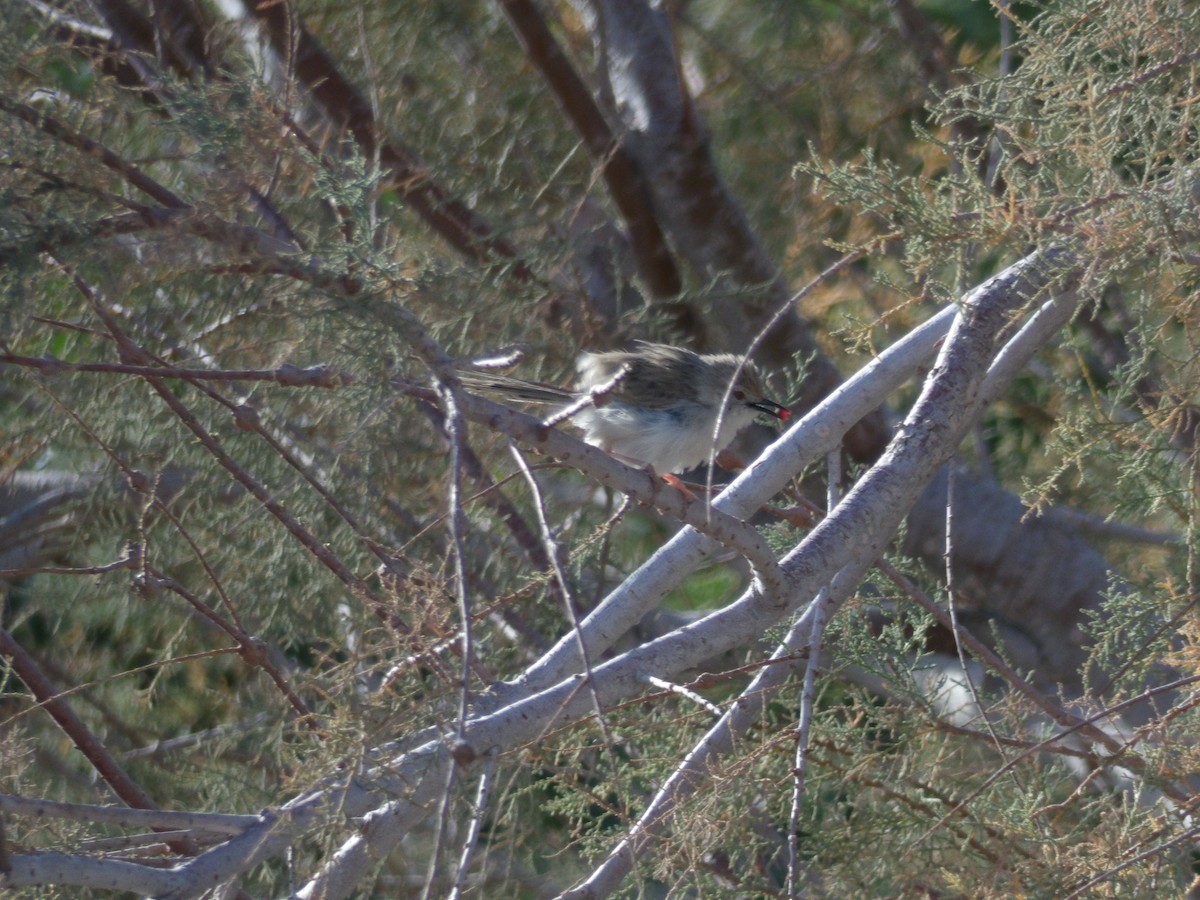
669	409
